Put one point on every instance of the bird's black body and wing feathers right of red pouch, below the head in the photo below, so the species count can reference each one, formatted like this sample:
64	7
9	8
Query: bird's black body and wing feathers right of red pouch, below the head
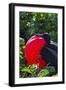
50	55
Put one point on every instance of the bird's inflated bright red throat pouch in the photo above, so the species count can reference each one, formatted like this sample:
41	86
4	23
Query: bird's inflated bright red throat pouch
33	49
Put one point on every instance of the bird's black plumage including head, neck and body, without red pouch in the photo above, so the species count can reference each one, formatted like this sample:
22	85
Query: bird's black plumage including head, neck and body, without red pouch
49	53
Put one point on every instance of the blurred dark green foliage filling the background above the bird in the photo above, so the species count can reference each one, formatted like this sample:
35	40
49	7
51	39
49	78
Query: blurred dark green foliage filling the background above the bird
32	22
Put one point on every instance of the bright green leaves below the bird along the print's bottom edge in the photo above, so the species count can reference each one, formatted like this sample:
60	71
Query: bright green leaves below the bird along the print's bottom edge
34	71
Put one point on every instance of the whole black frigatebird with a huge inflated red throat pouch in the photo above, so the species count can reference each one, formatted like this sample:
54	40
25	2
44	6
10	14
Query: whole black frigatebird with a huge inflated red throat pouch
40	50
